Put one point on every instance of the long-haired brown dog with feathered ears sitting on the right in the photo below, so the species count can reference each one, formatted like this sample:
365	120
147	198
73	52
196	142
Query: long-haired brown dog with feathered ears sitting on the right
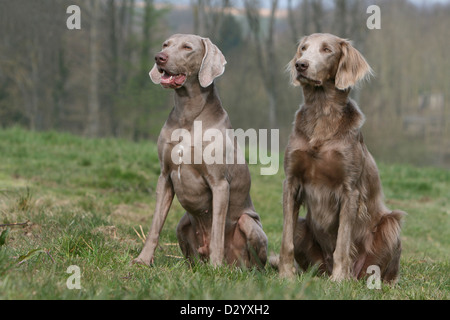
329	170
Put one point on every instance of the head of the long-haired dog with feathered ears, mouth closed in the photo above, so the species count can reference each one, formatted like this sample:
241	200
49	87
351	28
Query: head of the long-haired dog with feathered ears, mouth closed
323	57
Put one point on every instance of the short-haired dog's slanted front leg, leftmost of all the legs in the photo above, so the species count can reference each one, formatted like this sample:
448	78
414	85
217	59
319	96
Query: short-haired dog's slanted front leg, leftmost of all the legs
164	197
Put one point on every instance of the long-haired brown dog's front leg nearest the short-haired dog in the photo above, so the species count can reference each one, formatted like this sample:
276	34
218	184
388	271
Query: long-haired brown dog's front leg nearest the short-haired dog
290	214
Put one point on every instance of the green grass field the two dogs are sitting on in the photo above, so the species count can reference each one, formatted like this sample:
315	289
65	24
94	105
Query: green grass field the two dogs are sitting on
84	202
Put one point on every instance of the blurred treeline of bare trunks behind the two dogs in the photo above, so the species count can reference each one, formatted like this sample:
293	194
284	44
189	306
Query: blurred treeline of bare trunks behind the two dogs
94	81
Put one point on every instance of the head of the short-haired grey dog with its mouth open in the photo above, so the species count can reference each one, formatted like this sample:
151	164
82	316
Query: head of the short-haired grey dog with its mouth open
185	58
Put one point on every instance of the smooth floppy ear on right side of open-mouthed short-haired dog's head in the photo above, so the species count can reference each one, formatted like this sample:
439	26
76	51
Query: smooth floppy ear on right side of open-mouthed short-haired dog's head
213	64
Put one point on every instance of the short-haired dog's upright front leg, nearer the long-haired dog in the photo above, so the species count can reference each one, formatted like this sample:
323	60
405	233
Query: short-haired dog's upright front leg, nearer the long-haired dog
221	198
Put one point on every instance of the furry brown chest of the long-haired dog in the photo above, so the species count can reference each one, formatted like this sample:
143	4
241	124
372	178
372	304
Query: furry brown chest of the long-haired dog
325	150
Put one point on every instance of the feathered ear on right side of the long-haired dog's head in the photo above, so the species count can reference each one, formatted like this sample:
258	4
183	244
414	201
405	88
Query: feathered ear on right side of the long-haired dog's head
352	67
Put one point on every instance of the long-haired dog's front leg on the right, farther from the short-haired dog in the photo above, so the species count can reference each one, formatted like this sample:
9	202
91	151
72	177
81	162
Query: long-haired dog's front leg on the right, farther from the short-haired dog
342	256
